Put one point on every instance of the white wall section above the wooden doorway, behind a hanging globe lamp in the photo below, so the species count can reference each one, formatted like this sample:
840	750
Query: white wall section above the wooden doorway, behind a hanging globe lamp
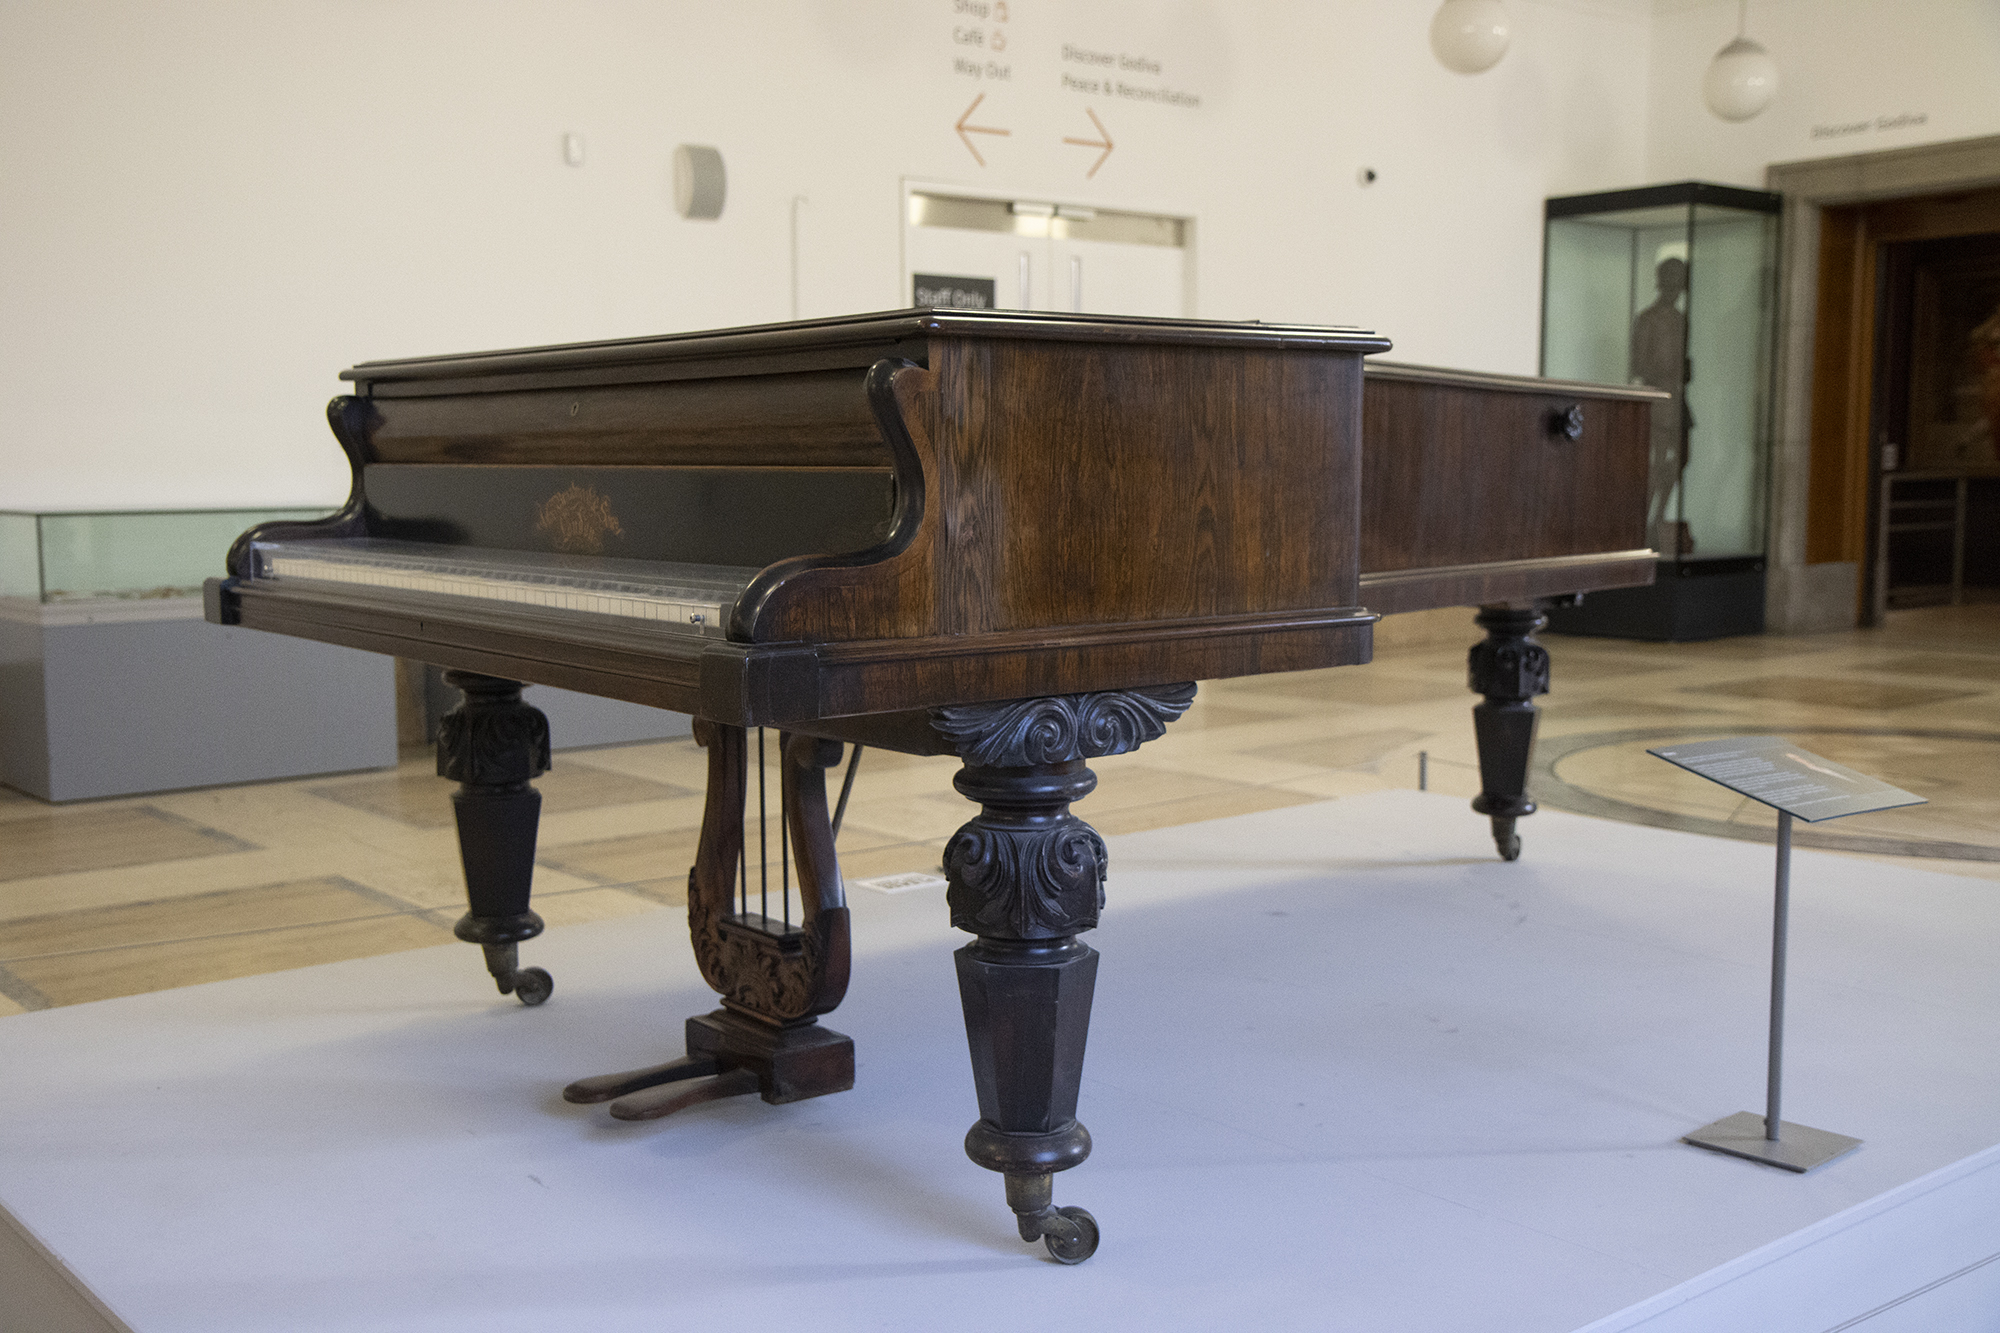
1855	77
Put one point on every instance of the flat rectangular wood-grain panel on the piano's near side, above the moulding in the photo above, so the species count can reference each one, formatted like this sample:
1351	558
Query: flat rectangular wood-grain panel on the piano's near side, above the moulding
1151	483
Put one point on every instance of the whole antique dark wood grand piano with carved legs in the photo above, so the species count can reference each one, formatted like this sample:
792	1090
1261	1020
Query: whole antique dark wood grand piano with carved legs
1019	539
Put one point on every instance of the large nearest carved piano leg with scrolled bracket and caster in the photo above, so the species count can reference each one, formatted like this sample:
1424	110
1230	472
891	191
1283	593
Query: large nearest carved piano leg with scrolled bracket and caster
1027	878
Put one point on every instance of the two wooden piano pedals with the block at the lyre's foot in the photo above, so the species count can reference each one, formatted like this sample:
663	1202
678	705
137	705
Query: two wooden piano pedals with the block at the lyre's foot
729	1056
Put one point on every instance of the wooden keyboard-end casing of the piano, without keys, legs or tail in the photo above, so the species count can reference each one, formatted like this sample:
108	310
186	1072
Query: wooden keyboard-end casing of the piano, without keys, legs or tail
1015	467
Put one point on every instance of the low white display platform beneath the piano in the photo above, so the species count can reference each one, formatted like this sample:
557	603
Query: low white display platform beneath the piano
1347	1072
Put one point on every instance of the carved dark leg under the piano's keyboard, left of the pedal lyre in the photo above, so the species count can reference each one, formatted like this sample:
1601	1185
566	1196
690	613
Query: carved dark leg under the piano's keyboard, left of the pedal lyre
493	746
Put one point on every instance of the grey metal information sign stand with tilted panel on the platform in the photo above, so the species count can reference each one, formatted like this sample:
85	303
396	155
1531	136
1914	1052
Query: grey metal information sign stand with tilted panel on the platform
1795	784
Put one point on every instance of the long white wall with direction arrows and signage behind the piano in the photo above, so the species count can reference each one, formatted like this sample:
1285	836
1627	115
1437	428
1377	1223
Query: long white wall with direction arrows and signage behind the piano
215	205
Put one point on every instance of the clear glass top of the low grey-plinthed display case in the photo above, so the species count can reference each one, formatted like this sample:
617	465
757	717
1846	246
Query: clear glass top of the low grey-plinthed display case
73	557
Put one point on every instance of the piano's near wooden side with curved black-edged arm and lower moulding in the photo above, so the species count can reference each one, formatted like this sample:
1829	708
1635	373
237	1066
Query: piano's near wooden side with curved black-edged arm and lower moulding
1125	515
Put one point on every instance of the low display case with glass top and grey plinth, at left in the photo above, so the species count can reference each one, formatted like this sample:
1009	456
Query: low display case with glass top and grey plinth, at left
113	684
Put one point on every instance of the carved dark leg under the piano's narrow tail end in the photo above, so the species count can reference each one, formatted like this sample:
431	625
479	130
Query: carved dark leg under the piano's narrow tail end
1509	668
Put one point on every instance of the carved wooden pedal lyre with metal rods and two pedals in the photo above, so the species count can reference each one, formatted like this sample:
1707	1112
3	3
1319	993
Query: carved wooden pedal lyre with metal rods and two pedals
777	976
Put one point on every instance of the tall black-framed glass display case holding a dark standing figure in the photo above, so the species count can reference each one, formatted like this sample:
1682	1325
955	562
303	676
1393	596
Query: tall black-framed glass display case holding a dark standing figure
1675	287
